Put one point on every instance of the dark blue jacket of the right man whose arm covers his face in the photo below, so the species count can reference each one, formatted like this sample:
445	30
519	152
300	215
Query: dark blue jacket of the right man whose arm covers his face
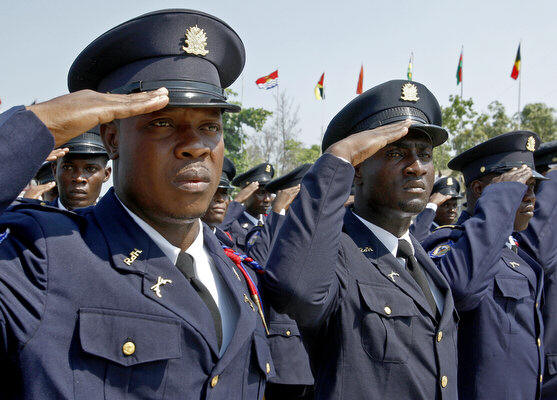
497	293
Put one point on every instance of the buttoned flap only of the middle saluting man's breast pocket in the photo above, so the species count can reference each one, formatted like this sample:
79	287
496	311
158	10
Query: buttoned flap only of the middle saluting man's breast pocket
387	301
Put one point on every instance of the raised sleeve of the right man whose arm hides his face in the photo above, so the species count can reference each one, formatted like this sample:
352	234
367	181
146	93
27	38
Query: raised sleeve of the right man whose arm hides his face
470	264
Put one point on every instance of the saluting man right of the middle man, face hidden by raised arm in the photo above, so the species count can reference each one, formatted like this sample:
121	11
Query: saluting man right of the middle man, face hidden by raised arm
497	286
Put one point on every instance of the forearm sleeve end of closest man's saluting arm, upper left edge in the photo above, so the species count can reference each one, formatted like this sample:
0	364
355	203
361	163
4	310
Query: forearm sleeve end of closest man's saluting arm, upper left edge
26	142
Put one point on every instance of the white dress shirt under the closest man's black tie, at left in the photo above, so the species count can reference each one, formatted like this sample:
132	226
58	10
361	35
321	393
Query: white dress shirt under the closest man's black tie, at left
205	271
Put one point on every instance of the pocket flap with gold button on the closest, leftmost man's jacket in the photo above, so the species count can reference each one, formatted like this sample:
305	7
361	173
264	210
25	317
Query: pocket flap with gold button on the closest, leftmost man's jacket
128	338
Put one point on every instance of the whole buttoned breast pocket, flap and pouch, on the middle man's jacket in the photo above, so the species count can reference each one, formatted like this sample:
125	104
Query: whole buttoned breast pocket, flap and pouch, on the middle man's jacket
386	323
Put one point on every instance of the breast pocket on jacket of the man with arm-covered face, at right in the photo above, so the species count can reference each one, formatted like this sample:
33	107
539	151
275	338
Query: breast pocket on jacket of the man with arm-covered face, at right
510	293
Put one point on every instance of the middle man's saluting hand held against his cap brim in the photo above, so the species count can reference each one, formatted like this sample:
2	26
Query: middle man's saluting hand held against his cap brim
362	145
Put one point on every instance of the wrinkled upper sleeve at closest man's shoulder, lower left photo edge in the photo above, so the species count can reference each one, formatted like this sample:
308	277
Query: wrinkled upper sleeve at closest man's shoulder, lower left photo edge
23	276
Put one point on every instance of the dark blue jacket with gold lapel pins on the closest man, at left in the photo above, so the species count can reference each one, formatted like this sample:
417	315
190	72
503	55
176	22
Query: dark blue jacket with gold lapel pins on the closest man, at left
76	286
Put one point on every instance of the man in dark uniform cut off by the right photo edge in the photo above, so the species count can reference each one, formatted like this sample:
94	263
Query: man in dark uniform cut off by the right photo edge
540	241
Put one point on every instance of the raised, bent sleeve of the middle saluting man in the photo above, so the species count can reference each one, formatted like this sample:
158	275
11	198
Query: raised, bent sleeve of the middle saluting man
301	278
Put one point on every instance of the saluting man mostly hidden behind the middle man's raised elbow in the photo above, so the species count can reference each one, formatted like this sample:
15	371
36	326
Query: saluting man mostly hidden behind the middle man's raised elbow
293	379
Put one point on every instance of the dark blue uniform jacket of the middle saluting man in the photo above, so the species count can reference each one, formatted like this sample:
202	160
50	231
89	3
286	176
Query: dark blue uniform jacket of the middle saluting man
370	337
